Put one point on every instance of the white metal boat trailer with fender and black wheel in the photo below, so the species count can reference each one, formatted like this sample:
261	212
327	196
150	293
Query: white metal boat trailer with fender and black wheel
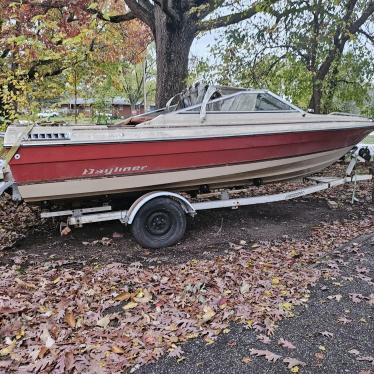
158	219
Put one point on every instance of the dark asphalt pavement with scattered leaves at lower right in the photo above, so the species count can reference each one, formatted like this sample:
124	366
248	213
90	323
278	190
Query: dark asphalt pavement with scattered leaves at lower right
331	334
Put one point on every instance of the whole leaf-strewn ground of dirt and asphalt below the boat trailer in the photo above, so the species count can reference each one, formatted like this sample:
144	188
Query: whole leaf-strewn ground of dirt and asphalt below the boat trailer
97	301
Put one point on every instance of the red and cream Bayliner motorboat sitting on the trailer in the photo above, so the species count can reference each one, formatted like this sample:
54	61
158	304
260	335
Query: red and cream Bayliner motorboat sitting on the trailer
207	136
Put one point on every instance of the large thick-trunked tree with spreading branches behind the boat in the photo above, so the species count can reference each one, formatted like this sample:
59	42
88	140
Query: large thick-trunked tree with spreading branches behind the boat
174	25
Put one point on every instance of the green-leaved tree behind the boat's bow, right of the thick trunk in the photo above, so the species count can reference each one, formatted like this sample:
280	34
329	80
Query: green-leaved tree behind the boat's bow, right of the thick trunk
314	36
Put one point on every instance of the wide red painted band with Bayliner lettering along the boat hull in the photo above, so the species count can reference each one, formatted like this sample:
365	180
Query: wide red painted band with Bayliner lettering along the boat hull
61	162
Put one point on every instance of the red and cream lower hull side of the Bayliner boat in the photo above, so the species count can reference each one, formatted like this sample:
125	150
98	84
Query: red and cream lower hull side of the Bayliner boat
52	172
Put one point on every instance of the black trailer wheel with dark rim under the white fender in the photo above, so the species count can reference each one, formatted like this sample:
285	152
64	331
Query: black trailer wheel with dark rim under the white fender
159	223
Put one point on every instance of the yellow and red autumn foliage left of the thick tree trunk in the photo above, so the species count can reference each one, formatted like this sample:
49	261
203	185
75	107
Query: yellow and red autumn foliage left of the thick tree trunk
40	40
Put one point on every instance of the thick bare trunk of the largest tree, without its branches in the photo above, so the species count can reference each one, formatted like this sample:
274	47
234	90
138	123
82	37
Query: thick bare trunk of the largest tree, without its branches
173	44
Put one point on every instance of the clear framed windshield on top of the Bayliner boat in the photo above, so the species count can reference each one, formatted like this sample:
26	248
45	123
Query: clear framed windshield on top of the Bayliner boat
245	102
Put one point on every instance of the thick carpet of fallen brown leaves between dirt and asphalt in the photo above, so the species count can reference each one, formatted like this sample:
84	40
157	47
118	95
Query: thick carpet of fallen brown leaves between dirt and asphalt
110	318
